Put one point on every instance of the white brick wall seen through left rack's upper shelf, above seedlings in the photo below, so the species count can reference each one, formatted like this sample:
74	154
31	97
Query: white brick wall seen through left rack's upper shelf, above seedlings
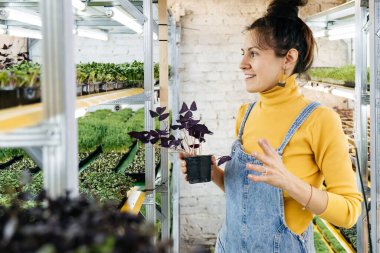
118	49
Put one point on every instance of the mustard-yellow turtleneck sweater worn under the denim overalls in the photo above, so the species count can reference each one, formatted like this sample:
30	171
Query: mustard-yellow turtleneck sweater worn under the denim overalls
318	151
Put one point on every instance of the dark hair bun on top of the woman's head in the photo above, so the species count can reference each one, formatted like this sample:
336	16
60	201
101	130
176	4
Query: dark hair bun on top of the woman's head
285	8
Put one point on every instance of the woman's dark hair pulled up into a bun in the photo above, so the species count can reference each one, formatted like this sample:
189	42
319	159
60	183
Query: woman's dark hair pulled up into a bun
281	30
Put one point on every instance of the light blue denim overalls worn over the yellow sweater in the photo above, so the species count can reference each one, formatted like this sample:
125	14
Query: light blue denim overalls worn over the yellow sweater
255	220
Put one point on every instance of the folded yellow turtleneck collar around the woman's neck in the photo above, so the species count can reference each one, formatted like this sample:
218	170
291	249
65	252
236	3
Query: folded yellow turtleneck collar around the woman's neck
280	95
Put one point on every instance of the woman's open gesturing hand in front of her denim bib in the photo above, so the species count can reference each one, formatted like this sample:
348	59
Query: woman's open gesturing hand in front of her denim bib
273	171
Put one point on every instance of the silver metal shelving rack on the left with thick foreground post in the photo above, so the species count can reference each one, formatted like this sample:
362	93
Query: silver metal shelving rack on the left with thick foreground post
53	143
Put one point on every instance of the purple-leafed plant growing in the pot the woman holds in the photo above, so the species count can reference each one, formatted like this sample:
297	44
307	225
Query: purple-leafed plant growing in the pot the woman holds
192	133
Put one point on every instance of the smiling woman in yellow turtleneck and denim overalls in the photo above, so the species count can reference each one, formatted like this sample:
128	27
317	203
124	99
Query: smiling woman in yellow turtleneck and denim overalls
286	147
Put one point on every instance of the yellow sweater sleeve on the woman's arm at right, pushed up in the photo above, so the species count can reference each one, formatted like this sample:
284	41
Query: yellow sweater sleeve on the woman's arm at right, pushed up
330	146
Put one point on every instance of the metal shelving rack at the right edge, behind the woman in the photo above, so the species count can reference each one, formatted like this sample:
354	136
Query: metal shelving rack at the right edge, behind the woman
365	16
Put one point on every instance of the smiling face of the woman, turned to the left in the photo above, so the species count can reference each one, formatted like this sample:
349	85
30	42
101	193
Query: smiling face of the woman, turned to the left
262	68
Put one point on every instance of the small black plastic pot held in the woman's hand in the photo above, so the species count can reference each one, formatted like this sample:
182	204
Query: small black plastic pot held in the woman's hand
198	169
